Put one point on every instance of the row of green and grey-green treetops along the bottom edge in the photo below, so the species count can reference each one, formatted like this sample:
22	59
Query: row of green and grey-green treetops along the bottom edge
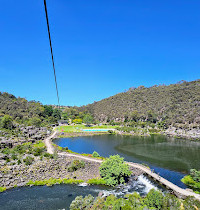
153	200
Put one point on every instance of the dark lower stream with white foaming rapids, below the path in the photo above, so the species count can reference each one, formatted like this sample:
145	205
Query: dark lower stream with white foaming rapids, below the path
60	196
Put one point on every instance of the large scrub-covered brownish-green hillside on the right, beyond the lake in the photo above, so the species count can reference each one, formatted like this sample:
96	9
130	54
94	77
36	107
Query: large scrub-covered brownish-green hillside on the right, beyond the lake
176	104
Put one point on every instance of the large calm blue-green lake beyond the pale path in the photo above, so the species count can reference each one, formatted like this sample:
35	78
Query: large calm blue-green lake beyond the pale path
171	158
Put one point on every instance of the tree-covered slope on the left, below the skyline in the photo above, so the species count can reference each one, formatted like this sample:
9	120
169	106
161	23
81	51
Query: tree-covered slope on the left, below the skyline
27	112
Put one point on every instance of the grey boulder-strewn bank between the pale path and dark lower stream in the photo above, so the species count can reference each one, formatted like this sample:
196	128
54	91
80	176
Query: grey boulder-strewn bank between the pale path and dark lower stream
19	175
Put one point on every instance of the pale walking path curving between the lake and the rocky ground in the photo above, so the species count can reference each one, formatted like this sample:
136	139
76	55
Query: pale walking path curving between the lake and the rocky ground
179	192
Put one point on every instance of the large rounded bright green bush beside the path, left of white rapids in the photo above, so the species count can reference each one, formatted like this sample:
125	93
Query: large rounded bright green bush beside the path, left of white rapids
114	171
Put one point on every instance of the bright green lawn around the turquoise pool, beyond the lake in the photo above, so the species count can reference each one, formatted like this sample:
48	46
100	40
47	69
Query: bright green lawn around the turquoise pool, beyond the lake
78	128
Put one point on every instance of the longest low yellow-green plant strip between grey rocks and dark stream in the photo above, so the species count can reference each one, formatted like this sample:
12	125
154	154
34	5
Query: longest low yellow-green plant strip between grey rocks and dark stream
52	181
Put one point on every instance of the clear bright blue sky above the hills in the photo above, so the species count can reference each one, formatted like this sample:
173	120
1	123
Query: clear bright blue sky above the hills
101	47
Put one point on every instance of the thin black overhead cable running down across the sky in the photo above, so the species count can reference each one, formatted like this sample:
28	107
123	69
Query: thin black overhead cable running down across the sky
45	6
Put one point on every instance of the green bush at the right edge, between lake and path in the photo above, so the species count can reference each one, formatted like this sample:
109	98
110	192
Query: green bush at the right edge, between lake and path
193	180
